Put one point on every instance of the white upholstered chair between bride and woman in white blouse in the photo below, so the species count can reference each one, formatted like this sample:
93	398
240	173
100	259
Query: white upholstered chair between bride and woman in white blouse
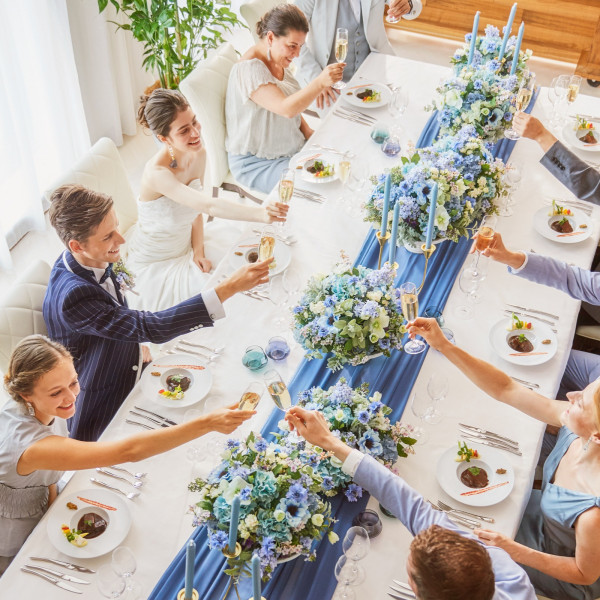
205	89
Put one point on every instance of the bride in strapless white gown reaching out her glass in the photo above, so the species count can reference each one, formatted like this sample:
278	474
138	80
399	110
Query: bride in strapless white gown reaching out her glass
167	250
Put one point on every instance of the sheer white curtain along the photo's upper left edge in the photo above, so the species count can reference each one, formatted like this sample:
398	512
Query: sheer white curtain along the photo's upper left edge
42	121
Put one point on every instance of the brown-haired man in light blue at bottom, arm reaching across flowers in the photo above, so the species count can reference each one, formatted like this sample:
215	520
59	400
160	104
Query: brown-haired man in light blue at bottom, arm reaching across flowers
444	563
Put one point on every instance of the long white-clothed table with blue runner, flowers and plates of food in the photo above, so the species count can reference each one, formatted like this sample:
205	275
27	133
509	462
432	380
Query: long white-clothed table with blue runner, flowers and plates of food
183	525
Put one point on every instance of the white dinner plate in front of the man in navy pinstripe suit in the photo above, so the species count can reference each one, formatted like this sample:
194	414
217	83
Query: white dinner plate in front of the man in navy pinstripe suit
180	364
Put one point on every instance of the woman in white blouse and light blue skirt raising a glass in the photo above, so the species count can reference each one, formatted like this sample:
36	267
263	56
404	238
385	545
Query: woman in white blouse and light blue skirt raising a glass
264	101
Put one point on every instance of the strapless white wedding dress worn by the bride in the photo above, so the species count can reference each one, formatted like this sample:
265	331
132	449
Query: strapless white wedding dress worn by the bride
159	252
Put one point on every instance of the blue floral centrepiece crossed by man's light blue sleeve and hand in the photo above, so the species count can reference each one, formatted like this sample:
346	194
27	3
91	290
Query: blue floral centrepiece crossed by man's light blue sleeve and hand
360	421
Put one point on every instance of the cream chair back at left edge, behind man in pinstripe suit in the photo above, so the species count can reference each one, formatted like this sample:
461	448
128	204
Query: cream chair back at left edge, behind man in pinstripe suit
21	309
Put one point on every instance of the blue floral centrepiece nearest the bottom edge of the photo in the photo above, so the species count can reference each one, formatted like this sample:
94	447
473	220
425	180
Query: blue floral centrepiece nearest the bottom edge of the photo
281	513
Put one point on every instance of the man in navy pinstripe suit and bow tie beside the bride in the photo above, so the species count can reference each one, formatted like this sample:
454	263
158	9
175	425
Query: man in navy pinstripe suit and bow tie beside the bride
85	310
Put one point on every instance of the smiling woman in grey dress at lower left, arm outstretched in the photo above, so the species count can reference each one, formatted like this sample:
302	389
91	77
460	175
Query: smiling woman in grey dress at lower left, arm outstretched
35	449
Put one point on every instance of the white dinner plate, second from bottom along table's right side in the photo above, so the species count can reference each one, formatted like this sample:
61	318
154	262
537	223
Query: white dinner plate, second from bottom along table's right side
539	331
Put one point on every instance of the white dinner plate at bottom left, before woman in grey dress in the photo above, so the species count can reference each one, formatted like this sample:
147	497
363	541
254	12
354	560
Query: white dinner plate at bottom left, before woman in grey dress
119	522
